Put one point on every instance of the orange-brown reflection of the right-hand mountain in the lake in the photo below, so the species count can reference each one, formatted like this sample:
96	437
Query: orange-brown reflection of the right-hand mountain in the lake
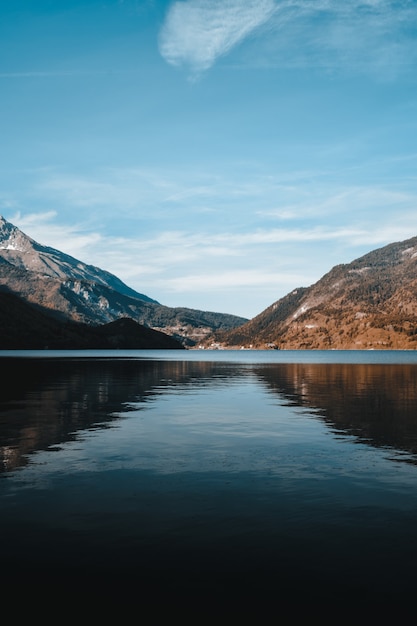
375	403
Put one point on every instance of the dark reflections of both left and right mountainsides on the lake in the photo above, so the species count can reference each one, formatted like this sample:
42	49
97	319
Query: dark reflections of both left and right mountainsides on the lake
46	402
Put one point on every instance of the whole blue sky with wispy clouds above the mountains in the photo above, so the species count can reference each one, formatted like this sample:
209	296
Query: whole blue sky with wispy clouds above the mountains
212	154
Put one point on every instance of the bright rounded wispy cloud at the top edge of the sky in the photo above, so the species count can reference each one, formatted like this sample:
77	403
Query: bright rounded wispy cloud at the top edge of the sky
197	32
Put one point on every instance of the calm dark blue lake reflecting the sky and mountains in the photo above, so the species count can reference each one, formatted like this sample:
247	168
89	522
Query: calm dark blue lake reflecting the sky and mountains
212	479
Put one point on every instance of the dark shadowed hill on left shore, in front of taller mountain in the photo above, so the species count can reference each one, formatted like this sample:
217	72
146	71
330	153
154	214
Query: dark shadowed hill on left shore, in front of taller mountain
25	326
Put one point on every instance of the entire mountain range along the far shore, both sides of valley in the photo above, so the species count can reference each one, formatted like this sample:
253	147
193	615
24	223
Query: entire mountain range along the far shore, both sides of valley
48	298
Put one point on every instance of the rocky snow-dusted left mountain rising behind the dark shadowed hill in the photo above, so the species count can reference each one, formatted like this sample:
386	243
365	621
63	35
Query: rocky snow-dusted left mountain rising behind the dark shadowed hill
71	290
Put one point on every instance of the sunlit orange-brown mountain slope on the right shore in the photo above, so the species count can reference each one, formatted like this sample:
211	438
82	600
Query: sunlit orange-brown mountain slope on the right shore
370	303
